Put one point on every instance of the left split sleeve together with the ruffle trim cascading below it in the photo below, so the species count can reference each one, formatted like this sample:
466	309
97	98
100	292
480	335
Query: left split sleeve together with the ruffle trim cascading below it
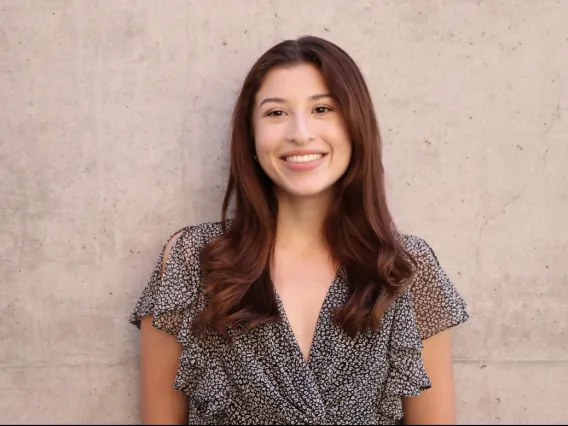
174	297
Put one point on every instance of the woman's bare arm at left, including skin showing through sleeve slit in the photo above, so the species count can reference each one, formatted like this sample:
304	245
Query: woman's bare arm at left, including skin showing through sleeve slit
159	356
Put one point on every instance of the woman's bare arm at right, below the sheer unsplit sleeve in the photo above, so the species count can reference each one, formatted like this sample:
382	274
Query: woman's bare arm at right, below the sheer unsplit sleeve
437	404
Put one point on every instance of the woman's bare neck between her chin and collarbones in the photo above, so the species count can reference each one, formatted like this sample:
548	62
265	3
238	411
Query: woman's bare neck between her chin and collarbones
301	220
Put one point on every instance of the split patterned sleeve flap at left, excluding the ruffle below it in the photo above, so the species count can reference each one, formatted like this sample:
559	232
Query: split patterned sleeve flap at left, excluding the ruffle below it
171	295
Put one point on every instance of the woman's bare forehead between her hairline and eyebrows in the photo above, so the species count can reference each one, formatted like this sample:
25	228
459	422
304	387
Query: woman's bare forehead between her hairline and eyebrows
292	82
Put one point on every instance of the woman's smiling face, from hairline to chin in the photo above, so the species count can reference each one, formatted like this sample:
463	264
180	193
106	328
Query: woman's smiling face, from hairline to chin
301	139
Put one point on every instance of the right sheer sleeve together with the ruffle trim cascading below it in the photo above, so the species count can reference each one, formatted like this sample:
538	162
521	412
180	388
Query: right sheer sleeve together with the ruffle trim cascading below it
431	304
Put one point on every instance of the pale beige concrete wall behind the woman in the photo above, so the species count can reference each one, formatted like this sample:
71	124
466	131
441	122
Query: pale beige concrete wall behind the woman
113	129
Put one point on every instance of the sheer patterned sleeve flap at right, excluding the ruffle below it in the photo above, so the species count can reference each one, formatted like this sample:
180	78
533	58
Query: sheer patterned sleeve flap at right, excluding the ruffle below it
436	302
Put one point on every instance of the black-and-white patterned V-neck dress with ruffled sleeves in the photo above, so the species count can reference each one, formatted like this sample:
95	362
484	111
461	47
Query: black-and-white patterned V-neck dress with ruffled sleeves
263	378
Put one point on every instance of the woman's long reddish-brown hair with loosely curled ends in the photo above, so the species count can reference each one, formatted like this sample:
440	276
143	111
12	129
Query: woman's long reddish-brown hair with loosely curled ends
359	228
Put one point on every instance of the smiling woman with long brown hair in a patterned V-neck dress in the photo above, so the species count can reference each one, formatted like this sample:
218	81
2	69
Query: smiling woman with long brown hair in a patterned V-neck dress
307	307
